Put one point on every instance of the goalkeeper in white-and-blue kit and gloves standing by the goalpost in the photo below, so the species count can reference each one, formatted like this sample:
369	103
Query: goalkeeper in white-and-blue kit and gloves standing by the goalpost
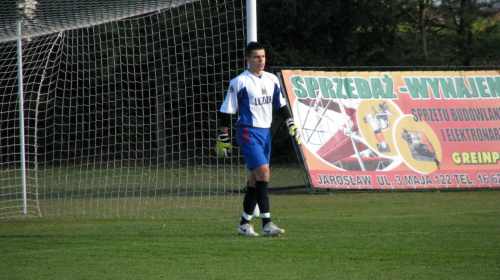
255	93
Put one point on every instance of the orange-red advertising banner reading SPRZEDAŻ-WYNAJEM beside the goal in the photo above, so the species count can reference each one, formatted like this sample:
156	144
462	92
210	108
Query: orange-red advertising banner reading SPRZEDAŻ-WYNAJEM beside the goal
398	130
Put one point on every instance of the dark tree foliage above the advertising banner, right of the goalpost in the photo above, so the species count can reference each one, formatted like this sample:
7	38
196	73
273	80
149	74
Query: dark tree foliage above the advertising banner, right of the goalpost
379	33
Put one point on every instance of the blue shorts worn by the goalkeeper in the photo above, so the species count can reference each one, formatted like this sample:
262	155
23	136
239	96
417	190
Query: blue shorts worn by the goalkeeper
255	145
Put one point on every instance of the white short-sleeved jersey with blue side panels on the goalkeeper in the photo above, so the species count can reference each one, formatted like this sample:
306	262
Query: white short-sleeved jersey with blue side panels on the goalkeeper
255	97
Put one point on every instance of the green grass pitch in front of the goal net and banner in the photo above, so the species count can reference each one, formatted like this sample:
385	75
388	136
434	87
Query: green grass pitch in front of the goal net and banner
410	235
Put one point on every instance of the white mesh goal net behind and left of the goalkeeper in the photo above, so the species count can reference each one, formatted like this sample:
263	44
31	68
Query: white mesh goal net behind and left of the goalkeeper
109	108
